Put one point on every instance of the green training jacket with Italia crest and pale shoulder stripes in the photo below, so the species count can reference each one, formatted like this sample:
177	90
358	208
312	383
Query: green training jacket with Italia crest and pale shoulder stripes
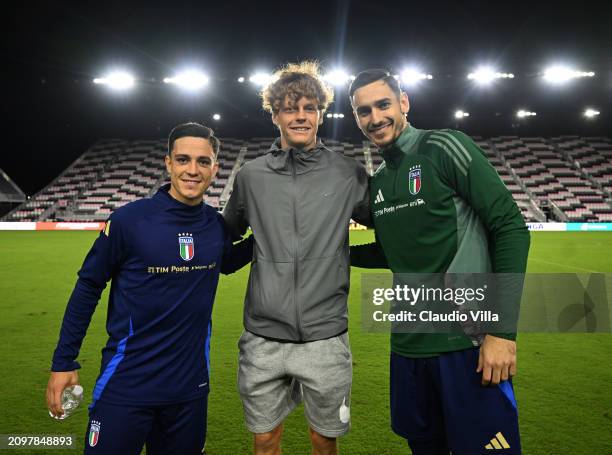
439	206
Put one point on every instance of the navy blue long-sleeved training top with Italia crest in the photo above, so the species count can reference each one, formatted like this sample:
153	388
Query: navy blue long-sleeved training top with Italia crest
163	258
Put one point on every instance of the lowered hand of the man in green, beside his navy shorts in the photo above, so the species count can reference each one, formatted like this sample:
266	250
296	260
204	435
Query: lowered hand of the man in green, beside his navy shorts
497	360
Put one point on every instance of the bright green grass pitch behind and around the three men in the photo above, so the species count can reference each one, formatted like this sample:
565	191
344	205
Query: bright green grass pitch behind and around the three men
563	386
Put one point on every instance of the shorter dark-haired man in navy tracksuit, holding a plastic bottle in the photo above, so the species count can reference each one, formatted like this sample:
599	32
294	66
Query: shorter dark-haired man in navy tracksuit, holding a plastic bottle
163	256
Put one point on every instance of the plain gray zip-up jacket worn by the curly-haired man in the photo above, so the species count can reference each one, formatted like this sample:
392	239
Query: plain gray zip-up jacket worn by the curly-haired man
298	204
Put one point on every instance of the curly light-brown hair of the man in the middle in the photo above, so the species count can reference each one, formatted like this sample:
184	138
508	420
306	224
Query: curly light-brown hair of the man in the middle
297	80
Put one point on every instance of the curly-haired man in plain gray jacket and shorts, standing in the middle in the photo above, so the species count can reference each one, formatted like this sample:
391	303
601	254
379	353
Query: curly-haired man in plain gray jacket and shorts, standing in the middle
298	199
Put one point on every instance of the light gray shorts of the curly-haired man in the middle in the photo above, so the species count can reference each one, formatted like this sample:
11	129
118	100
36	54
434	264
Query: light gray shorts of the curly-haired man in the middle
274	377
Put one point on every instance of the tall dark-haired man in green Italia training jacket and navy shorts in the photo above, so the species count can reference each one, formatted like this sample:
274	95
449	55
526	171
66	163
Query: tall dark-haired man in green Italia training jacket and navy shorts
440	207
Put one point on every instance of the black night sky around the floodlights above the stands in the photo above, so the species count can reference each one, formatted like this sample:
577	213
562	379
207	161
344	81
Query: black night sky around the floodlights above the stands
52	51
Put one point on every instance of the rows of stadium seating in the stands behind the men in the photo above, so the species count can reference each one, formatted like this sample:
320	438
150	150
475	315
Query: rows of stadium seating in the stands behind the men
566	178
